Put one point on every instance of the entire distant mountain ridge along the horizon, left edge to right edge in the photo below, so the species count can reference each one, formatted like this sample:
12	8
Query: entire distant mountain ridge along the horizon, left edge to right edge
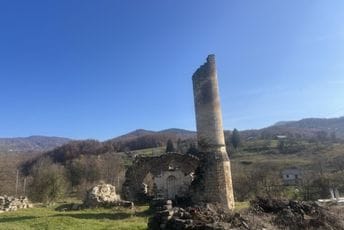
305	128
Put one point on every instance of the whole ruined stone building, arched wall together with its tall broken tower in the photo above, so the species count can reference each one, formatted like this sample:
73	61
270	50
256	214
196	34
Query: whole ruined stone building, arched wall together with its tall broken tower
172	175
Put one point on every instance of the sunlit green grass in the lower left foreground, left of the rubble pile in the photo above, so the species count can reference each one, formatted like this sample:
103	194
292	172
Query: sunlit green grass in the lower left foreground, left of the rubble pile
48	218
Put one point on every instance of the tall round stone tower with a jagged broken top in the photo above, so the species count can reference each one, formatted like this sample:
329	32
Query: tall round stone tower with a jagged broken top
215	183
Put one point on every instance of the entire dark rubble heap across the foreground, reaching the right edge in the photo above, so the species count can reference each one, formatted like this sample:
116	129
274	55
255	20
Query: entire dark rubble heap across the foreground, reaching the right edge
268	214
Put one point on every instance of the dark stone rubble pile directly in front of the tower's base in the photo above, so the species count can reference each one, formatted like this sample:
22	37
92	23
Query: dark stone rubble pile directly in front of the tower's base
204	216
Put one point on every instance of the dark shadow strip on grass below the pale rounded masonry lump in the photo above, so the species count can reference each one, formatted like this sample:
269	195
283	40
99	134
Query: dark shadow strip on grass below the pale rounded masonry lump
97	216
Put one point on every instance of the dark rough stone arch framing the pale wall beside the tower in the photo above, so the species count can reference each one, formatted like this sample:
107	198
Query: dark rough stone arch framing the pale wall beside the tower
135	175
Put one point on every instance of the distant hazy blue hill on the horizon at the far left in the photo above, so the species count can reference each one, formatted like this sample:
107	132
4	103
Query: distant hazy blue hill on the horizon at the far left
31	144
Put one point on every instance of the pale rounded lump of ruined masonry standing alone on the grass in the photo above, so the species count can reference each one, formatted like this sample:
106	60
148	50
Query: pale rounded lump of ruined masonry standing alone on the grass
104	195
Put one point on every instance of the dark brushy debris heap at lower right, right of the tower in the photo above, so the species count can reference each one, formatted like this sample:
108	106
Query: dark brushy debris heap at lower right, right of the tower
289	214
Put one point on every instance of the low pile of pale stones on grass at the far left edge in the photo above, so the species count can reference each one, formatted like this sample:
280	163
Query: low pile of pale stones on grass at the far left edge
10	203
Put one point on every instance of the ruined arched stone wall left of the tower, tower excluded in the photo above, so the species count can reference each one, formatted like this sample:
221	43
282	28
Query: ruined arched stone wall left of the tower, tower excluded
170	175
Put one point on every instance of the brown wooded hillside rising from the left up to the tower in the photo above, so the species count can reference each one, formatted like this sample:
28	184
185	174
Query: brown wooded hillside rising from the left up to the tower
136	140
